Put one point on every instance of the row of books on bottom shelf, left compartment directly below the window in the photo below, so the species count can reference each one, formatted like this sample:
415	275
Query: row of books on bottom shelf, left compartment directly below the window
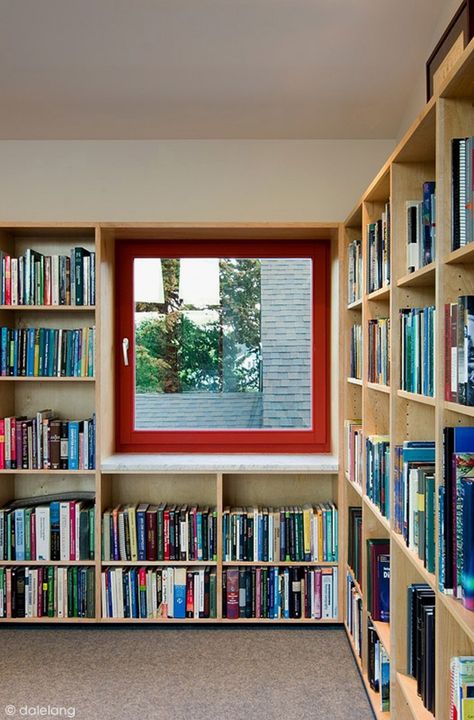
168	592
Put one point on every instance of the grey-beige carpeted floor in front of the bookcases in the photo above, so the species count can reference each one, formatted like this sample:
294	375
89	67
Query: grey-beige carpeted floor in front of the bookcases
236	673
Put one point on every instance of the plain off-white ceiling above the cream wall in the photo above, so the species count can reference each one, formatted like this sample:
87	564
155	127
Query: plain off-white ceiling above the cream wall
125	69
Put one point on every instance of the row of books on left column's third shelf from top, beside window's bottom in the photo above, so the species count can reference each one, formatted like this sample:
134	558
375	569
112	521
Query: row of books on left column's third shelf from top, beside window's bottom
45	442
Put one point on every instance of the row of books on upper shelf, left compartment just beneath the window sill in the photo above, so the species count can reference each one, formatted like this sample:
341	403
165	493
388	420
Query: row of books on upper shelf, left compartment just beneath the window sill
159	532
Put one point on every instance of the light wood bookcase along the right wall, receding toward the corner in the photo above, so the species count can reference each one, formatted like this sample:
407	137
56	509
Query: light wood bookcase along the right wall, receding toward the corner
423	154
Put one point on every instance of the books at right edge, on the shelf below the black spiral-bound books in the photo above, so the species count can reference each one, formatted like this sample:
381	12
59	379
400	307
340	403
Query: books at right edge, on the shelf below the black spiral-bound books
459	350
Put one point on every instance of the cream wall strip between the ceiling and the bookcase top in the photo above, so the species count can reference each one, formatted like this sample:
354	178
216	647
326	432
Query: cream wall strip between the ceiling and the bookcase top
187	180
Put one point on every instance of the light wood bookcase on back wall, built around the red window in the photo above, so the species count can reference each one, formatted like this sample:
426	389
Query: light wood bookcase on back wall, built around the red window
215	481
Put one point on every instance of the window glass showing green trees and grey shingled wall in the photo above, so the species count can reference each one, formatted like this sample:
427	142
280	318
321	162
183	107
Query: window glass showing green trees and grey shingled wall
222	343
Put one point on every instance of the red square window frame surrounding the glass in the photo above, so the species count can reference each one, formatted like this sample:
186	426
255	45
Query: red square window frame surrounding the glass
313	440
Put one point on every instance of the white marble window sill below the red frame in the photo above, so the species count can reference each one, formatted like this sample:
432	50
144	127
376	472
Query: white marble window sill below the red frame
178	463
